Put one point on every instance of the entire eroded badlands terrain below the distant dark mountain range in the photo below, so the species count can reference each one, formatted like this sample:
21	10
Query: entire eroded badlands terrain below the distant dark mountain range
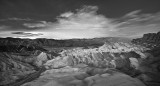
114	63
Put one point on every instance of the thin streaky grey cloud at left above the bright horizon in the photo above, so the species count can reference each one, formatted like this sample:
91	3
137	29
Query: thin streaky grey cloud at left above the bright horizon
22	24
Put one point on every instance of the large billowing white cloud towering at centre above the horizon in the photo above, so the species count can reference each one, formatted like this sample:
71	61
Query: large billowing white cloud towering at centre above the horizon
84	23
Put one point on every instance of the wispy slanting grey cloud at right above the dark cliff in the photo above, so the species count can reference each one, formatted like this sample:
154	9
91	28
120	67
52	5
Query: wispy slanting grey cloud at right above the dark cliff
135	24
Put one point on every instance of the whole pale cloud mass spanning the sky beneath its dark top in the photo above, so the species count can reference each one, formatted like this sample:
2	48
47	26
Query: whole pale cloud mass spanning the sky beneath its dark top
87	23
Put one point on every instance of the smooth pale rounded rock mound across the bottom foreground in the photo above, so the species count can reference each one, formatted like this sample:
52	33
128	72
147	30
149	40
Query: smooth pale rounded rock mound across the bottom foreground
71	77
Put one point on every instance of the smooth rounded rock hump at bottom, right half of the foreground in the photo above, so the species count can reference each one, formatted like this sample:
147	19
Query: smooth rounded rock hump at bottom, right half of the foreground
116	79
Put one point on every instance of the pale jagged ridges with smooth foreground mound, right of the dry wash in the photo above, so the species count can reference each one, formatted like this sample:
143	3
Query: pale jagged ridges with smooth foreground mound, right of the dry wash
101	67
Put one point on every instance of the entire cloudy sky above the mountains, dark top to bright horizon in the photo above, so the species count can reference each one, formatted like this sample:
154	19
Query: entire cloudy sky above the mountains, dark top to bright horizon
68	19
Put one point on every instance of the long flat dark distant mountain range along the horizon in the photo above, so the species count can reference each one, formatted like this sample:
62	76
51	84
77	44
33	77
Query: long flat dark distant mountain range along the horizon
31	44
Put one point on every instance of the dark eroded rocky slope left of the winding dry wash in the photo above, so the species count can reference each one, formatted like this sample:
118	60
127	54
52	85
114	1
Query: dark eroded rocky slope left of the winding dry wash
15	67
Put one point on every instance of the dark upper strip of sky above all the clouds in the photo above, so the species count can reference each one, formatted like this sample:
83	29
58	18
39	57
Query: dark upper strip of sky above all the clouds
48	9
